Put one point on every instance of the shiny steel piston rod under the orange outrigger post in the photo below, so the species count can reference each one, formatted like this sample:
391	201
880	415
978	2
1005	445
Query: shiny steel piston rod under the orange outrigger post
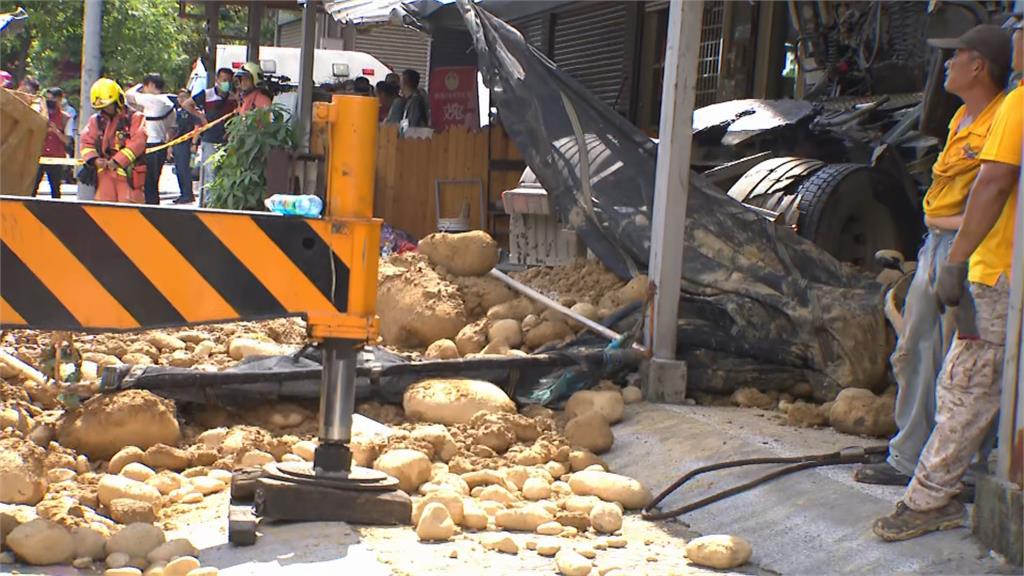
338	392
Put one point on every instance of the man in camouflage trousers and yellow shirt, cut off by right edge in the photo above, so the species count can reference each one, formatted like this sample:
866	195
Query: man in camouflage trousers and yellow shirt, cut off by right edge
970	383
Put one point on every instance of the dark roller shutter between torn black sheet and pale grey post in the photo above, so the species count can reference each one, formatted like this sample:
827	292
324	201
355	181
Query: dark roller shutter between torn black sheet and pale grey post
590	47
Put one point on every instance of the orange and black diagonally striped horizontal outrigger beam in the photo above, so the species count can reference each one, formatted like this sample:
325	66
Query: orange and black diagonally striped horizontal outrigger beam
100	267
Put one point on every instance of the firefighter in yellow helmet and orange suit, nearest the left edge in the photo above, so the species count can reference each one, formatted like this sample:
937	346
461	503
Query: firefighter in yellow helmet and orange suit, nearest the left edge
113	141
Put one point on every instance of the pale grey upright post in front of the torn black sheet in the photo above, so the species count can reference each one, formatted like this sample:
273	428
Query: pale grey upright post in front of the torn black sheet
672	182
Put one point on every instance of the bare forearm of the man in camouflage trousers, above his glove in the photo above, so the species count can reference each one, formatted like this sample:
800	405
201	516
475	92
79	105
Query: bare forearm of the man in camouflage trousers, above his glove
989	196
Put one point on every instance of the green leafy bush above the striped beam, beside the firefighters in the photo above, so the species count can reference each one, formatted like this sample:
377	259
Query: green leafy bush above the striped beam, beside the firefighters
240	183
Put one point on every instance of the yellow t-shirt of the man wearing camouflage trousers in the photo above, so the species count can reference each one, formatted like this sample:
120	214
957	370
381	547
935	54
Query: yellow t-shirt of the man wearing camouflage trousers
995	255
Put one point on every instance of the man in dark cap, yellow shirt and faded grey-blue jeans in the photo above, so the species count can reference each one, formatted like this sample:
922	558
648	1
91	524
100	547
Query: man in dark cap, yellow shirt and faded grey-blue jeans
977	74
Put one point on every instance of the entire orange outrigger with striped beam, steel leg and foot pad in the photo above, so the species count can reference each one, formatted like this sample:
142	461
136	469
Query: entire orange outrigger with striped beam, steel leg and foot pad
98	267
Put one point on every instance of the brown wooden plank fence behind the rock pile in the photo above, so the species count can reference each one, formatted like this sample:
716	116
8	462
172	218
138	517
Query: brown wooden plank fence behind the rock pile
409	171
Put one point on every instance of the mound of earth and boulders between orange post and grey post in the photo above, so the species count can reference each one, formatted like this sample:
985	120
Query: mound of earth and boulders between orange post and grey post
442	301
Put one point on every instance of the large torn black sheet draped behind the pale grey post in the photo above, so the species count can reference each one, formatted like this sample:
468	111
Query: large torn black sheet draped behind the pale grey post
760	306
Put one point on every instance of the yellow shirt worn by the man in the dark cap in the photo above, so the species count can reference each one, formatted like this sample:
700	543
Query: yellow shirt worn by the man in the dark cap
955	171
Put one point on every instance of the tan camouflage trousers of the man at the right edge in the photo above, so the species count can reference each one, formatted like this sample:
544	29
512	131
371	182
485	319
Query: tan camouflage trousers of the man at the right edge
968	401
